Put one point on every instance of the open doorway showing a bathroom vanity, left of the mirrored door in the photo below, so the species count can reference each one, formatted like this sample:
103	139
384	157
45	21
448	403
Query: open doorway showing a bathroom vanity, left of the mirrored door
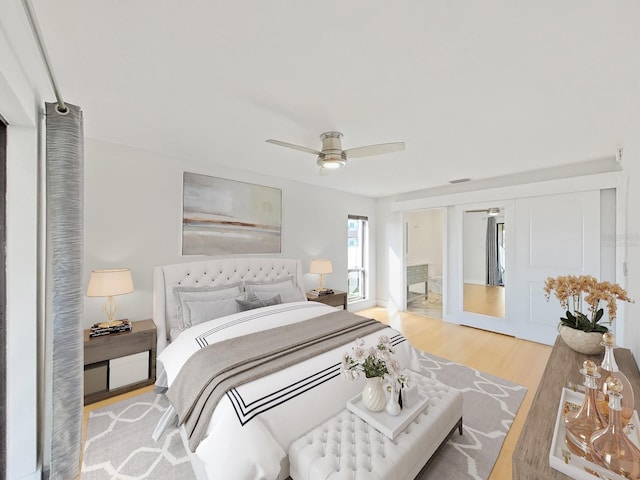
424	231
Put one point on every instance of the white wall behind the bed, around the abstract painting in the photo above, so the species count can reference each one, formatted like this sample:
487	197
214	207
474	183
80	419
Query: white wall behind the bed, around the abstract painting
133	219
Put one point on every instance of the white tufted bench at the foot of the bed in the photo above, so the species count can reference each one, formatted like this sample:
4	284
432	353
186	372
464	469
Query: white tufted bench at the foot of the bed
345	447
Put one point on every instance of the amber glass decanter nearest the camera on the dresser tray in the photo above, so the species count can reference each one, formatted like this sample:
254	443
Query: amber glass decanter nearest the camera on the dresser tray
611	447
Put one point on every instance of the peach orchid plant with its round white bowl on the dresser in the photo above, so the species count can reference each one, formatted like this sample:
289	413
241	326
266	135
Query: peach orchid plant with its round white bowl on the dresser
580	296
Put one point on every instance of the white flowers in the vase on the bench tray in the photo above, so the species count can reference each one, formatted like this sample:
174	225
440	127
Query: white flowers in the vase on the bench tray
375	361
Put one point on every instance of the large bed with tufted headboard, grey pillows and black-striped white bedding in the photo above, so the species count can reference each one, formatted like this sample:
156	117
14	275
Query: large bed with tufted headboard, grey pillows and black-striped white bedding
249	430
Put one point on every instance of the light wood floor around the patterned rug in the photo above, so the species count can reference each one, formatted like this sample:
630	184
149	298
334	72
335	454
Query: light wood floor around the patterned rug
516	360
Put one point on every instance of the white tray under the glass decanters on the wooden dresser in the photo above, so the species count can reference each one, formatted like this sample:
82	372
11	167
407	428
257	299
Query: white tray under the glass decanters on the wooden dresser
574	466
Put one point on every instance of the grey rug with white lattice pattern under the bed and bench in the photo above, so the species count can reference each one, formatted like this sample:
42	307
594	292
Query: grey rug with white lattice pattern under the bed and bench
119	444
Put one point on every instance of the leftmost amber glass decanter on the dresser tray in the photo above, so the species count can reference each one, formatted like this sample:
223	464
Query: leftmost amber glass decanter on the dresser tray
580	425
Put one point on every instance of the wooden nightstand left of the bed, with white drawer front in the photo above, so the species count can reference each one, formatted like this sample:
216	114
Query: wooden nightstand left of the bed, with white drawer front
110	360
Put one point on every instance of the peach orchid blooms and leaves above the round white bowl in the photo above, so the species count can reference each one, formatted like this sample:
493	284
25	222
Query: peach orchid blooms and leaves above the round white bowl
574	291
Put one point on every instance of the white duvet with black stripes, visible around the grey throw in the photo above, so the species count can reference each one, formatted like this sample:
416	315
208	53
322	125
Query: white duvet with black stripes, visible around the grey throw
252	427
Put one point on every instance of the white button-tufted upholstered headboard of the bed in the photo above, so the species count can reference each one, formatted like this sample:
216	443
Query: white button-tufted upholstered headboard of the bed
212	273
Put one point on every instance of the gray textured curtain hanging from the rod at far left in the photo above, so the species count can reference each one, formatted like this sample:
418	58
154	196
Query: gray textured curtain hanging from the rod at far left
65	197
